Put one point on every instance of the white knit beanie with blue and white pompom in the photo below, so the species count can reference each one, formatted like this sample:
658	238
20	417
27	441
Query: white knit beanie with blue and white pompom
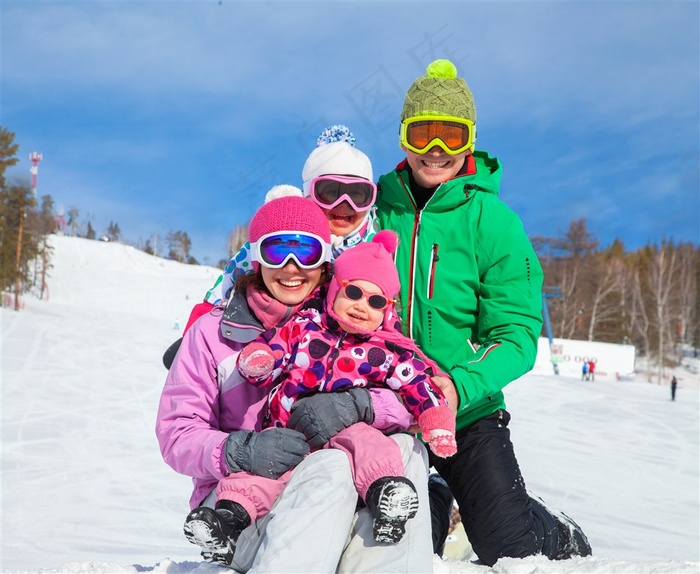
336	154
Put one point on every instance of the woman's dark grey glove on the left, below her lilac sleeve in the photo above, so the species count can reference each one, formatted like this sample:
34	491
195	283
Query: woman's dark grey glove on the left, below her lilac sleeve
270	453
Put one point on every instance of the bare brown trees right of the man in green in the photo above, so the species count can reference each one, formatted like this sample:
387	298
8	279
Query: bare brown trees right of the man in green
647	298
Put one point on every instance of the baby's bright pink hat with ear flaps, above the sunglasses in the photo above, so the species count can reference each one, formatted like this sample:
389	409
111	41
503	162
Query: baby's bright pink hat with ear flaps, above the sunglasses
371	261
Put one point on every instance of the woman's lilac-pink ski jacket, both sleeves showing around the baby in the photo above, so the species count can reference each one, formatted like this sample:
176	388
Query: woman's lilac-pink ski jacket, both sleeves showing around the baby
205	398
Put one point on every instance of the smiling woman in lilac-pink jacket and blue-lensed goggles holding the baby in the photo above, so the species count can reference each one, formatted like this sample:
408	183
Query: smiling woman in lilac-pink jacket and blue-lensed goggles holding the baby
210	420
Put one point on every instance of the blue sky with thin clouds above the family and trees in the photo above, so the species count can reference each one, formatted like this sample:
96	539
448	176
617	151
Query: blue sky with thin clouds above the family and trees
166	116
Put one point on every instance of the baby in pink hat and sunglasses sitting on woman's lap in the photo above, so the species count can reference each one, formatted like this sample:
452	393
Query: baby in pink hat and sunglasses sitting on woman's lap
353	340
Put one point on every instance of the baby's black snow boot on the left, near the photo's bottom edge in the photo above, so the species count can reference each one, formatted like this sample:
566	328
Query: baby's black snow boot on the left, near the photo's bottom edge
216	531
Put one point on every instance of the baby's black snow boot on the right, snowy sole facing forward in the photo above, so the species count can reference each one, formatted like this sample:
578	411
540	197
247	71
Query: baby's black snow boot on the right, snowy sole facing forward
392	500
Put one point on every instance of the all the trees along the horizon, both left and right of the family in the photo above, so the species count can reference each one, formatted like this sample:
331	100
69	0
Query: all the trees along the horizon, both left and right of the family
647	298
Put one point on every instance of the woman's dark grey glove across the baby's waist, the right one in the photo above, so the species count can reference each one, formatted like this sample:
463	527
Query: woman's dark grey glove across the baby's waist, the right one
323	415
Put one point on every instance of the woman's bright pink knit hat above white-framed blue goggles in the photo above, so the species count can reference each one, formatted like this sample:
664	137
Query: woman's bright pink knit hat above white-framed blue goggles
290	213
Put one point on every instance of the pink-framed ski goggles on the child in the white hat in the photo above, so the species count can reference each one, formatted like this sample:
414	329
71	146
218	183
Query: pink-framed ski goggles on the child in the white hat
327	191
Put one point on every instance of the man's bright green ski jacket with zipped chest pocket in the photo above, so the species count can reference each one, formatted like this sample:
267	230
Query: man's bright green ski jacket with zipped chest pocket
471	284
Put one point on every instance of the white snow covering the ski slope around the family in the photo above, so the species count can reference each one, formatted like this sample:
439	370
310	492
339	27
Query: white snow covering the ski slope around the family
84	488
